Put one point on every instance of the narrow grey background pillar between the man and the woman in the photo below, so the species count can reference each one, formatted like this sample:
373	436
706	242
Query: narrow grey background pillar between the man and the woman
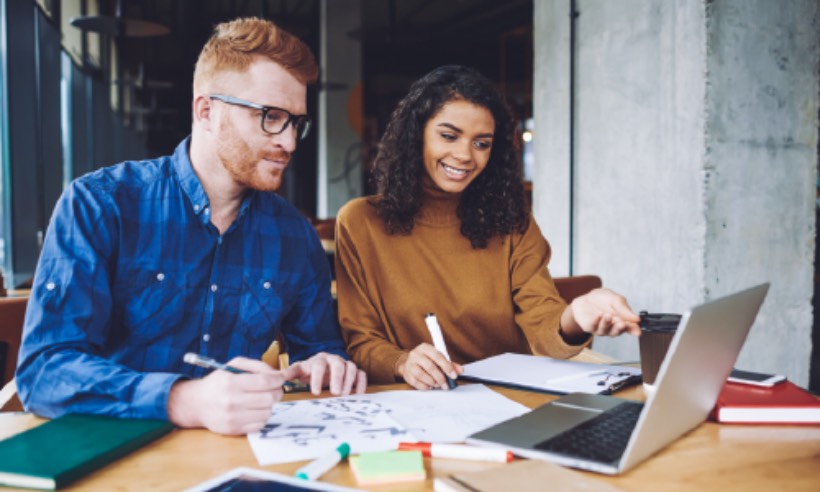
340	106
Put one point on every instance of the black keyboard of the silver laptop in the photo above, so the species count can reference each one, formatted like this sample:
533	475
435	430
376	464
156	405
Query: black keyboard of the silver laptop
602	438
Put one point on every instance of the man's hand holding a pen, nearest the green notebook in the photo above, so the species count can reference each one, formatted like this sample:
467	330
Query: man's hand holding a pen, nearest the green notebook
226	402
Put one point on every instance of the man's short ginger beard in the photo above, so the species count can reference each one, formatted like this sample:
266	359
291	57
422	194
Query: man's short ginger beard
247	167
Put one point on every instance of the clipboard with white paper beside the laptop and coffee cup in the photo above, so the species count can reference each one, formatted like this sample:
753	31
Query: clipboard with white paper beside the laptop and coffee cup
552	375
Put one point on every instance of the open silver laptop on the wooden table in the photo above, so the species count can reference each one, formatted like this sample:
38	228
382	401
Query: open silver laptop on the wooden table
610	435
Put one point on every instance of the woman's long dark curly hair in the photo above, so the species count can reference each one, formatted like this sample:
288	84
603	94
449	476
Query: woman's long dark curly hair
493	204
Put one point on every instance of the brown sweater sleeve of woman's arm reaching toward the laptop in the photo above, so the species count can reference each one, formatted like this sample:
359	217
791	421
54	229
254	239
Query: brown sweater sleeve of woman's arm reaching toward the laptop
538	306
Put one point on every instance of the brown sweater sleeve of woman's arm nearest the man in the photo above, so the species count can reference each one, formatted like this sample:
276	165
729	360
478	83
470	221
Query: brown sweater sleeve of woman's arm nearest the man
362	330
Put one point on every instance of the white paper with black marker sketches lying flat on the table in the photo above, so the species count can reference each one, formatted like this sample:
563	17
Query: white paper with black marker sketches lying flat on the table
307	429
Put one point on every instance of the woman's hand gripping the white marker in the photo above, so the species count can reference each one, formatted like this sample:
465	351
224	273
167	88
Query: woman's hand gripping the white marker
424	368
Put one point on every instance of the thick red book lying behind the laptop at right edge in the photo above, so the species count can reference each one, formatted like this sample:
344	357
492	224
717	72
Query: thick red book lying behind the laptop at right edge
783	403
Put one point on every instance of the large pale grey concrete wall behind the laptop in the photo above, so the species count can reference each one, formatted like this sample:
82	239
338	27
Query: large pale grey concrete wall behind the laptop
695	143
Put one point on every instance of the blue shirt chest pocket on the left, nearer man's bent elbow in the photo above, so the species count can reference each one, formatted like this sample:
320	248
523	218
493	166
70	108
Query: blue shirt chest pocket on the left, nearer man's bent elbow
149	305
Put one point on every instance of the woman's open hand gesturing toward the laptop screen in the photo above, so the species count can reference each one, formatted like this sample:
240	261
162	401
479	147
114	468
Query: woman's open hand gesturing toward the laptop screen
600	312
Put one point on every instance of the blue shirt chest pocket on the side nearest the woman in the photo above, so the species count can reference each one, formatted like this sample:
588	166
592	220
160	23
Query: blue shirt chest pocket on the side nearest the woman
263	305
